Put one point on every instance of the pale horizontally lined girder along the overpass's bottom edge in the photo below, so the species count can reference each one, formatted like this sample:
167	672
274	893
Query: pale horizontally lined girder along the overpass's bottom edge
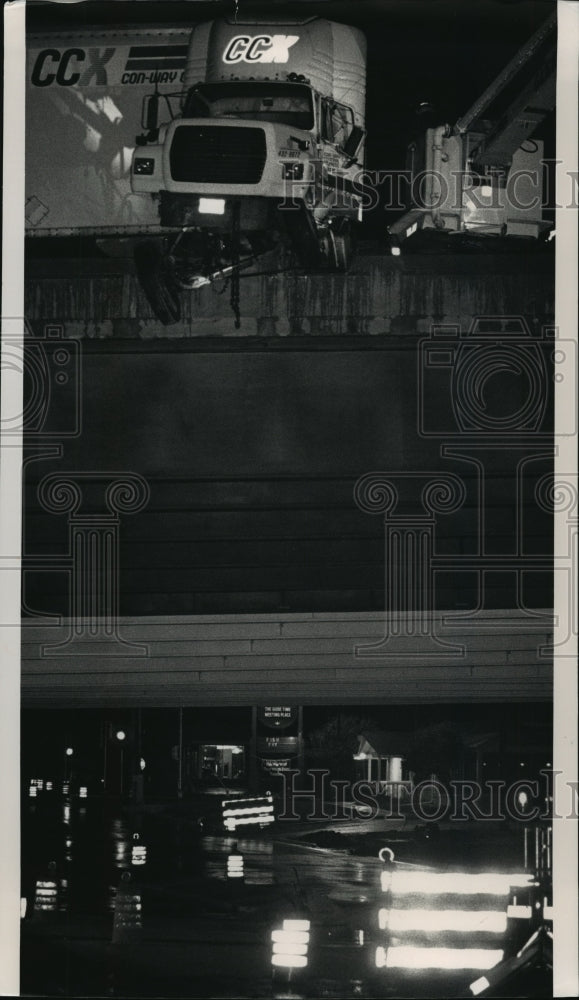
290	659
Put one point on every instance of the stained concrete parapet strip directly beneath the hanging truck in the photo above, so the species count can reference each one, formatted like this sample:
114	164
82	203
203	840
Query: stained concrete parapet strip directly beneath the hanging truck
381	295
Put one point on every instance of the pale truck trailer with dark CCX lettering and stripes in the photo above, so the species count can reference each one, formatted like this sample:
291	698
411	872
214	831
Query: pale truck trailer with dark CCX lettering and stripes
84	95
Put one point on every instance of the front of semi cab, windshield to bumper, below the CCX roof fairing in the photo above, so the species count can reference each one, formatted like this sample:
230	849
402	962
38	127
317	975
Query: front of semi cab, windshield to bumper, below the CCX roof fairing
245	142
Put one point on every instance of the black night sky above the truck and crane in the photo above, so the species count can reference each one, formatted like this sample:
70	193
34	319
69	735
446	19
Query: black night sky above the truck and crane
443	50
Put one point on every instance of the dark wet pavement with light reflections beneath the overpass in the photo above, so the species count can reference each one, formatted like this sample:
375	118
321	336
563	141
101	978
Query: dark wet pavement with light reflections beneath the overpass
203	935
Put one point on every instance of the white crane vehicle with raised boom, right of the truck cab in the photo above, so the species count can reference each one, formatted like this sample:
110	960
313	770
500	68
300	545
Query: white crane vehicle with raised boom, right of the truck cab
481	174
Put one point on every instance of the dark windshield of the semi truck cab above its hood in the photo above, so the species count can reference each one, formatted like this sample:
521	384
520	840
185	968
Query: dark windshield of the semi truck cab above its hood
284	103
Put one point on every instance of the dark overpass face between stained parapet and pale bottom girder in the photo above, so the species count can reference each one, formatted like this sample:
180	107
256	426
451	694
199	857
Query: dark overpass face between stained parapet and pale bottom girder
251	459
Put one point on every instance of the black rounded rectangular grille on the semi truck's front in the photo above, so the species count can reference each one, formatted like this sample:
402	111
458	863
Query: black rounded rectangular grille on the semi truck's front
218	154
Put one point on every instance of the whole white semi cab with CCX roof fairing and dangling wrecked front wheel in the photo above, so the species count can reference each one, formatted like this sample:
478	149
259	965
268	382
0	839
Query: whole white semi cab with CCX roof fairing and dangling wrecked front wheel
262	146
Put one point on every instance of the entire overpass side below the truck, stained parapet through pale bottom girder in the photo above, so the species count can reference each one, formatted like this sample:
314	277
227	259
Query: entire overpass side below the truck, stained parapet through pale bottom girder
345	501
